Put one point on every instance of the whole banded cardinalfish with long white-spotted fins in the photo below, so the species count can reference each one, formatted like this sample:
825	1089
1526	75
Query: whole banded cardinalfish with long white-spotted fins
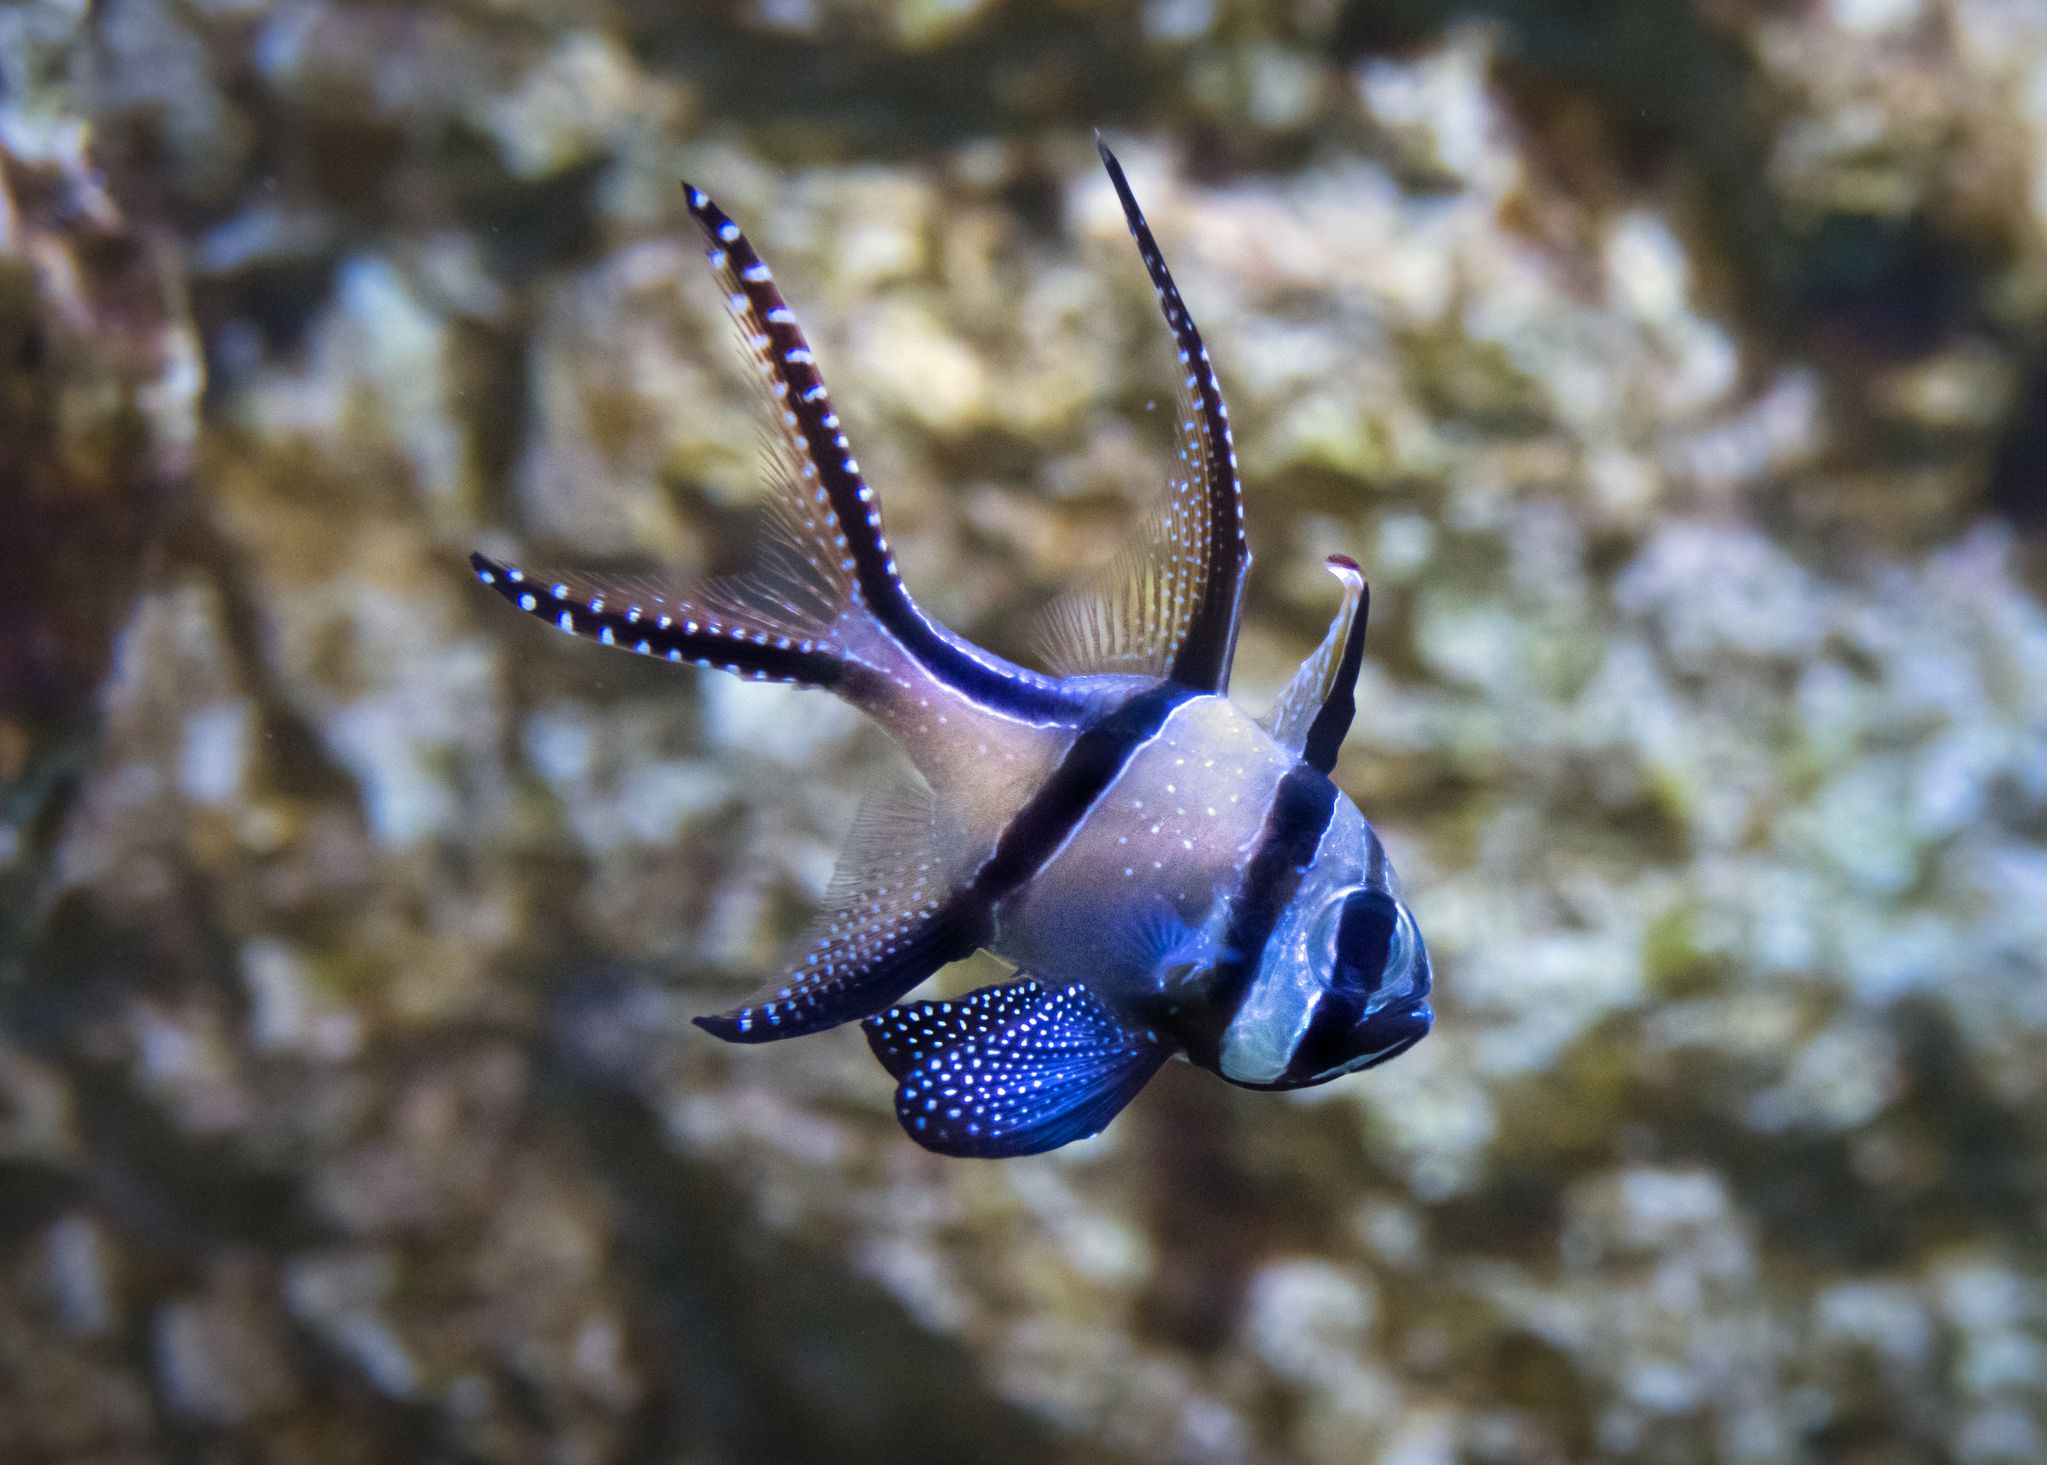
1168	875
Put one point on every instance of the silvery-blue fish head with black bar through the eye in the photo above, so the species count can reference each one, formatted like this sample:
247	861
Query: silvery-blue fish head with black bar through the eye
1344	979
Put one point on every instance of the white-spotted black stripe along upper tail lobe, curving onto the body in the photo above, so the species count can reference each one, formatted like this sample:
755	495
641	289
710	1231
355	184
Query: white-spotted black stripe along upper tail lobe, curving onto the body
801	396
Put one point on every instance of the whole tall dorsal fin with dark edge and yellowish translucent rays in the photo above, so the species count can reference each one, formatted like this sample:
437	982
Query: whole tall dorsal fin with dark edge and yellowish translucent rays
1176	605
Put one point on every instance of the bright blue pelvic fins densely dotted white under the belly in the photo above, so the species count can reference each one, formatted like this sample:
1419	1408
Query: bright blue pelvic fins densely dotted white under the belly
1014	1081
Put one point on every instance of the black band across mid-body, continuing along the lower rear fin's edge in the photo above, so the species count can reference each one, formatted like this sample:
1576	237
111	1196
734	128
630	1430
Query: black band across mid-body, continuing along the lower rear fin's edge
967	920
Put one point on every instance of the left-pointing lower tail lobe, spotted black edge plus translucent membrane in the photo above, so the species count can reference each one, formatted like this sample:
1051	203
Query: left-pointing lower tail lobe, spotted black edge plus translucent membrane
779	639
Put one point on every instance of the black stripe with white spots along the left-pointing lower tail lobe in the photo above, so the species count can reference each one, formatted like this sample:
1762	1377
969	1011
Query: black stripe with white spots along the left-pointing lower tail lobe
687	637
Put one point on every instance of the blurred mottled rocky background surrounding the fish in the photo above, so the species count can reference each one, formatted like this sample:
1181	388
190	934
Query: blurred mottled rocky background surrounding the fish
1678	369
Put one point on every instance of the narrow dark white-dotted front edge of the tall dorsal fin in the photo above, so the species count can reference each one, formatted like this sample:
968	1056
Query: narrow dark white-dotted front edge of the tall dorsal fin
1211	643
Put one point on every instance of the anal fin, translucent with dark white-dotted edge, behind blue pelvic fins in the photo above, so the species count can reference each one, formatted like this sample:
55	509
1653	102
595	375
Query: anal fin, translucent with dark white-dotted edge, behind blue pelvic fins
889	922
